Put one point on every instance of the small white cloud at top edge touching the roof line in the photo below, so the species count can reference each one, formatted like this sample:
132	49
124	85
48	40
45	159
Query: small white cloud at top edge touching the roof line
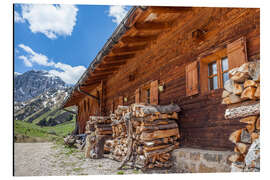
118	13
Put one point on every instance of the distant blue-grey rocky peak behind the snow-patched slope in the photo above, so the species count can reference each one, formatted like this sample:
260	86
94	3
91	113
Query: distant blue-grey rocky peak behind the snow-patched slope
33	83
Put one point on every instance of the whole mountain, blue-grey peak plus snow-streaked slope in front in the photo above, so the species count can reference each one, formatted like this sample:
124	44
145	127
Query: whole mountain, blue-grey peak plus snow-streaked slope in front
38	97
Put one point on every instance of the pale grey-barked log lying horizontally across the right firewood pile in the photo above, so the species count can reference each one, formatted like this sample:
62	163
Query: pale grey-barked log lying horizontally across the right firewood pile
242	111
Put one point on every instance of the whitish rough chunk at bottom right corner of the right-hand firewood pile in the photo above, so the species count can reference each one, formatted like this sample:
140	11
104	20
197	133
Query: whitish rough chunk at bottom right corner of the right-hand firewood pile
252	158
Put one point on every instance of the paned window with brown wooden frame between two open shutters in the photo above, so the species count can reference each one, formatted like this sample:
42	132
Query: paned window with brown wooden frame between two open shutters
218	73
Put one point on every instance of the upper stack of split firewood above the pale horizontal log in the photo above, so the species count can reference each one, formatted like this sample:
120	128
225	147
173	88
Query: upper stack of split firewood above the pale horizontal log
244	84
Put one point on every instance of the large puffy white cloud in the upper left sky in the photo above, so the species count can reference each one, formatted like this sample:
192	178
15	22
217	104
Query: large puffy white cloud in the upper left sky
51	20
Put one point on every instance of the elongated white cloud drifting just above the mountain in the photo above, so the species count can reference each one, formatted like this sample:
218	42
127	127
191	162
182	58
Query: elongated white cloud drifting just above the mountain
67	73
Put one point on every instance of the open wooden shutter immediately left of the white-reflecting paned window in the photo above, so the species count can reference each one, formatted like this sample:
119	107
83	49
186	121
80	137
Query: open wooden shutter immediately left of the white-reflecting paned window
192	79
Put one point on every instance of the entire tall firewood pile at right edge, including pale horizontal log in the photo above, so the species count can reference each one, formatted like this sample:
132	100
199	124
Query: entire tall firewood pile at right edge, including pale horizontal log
242	94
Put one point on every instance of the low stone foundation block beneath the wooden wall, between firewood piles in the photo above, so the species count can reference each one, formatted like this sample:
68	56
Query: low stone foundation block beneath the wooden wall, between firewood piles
201	161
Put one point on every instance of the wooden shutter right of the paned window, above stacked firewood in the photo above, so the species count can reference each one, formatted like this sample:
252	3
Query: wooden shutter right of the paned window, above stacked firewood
237	53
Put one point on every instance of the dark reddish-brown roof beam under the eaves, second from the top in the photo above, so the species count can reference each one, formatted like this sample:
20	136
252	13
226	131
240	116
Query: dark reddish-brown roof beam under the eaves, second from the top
153	26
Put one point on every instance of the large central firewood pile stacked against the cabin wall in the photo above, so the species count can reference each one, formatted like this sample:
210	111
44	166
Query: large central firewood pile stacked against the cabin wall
144	135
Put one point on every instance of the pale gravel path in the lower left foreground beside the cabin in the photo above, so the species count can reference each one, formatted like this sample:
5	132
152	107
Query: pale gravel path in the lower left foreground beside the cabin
46	159
